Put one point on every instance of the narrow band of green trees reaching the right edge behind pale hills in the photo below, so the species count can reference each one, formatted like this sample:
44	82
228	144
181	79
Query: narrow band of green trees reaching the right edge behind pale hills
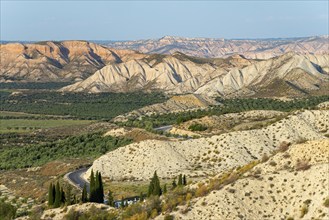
227	106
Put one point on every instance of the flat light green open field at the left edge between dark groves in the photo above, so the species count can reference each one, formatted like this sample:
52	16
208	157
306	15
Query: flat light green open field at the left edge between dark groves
27	125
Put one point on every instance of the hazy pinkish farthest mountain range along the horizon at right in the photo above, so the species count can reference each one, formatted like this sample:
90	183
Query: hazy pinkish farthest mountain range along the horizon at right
209	47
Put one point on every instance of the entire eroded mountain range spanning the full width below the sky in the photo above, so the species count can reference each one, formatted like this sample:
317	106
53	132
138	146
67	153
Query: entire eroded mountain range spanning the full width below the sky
263	67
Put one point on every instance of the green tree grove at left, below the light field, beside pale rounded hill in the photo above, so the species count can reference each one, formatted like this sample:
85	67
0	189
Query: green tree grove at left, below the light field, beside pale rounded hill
83	146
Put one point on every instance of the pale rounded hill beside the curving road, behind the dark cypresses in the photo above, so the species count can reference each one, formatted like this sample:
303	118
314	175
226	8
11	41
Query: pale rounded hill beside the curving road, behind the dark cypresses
213	155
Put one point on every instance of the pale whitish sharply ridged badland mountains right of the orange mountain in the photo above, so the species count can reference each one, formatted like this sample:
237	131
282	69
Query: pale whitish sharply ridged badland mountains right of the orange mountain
287	75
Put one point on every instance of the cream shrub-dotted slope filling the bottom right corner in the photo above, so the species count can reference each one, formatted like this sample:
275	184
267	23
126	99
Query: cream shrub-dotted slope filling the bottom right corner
291	185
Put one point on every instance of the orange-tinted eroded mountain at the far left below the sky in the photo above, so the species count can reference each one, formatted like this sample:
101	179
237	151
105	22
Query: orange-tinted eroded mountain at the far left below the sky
56	61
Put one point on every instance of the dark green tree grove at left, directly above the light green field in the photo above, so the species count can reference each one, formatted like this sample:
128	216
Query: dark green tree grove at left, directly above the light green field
77	105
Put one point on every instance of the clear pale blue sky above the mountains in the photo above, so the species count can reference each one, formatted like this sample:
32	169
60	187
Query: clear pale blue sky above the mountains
133	20
